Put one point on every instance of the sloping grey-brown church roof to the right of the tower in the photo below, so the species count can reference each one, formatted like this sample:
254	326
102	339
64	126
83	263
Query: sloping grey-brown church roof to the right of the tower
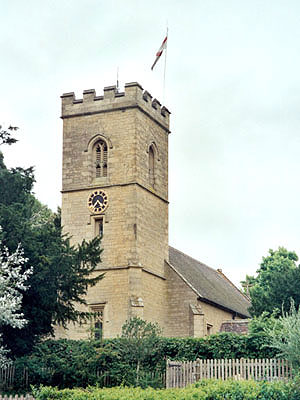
211	285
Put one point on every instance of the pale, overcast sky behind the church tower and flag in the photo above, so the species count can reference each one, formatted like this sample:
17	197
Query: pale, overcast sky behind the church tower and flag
232	84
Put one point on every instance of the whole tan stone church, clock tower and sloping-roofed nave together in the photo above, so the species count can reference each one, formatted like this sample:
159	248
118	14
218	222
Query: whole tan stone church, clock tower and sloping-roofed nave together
115	185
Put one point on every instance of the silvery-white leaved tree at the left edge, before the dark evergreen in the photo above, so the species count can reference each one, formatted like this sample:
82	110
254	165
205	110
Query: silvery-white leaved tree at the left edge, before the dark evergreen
12	283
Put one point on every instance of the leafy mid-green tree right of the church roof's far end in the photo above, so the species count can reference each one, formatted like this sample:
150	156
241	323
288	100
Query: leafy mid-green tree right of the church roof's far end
278	280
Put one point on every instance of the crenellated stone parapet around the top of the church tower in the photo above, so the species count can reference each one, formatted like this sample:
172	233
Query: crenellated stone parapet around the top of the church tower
134	96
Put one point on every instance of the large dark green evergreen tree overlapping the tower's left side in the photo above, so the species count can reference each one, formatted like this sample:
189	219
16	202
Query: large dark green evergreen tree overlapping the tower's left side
61	272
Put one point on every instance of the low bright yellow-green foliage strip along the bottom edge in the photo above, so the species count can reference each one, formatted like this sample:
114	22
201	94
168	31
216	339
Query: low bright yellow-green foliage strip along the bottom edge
204	390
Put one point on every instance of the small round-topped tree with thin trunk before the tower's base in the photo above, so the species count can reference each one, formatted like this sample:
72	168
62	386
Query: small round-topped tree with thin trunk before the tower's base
139	340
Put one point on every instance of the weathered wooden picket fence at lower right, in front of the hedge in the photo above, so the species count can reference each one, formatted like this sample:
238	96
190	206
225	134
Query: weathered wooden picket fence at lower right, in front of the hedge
182	373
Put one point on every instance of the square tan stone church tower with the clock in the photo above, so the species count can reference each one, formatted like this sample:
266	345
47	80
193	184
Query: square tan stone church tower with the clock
115	184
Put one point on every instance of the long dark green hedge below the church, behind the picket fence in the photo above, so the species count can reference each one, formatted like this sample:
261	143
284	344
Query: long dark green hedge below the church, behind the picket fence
69	363
